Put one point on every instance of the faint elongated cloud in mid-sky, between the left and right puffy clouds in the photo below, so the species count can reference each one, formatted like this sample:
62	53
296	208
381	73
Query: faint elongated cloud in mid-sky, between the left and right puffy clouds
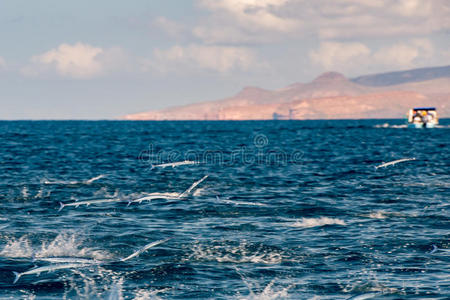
199	57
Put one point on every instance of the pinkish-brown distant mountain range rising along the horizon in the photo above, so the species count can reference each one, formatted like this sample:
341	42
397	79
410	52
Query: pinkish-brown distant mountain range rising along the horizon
329	96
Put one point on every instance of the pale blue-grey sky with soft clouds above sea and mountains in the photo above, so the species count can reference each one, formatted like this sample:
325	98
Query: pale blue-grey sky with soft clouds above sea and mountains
106	58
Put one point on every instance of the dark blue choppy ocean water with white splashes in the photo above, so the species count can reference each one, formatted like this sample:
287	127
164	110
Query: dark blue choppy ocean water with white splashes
289	210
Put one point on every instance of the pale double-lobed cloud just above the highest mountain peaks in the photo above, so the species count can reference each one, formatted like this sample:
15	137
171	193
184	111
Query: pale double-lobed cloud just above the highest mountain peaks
350	57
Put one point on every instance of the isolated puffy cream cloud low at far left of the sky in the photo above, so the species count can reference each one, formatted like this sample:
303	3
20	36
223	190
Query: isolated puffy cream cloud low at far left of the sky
79	61
